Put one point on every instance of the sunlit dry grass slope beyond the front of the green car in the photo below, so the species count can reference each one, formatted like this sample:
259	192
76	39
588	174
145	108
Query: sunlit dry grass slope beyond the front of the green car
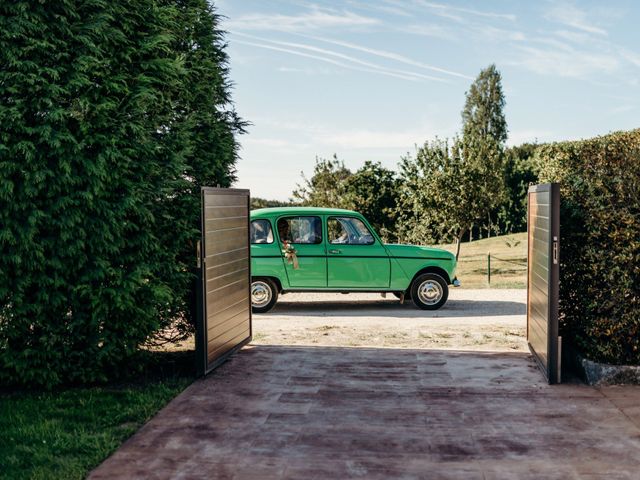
508	262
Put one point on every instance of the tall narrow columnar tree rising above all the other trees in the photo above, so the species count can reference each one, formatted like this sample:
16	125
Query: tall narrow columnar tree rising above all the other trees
484	131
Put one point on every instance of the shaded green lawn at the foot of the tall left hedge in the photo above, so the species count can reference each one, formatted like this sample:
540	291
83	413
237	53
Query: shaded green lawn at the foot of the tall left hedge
65	433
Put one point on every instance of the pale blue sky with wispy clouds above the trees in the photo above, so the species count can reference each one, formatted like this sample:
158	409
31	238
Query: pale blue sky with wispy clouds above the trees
368	80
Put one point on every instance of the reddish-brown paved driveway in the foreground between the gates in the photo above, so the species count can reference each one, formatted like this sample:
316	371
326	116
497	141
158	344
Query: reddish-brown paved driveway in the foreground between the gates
335	412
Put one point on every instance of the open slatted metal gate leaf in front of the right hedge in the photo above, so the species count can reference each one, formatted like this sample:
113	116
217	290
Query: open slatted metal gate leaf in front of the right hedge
543	278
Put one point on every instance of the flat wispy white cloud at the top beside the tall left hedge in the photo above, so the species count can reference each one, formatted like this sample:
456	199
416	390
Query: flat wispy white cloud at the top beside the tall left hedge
313	20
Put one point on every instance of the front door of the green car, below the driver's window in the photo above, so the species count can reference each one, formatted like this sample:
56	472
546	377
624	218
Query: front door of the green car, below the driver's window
355	256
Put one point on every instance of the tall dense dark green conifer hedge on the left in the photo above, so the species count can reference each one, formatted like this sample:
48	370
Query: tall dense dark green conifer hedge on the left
112	114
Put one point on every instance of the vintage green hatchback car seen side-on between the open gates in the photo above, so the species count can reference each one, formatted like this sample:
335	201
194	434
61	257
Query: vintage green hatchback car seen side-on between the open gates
307	249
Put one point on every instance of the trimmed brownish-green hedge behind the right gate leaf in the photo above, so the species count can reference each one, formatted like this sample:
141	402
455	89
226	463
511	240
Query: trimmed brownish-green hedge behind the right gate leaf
600	243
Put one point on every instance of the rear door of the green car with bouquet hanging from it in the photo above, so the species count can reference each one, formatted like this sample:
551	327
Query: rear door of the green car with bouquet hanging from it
305	234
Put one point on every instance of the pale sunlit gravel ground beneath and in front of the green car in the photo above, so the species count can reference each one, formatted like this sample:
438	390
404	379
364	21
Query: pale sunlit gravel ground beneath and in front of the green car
486	320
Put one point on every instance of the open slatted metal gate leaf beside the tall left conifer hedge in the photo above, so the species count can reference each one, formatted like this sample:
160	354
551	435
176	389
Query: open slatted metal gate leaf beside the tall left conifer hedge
224	302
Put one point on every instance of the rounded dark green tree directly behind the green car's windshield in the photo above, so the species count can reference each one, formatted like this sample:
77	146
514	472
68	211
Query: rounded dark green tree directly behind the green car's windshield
371	190
